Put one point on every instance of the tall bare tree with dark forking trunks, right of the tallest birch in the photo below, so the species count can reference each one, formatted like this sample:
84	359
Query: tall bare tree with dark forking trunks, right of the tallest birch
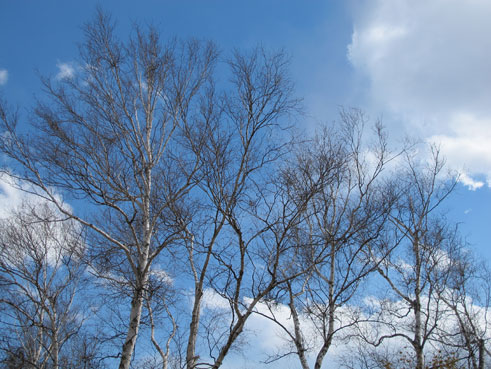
233	225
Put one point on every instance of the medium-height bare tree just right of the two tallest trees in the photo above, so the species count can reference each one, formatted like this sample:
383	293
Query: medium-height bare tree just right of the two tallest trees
345	215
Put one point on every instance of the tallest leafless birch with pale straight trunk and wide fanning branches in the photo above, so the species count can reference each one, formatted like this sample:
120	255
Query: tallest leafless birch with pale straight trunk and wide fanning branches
110	135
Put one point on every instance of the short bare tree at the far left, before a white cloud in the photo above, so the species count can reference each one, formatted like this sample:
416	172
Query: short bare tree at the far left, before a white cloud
41	274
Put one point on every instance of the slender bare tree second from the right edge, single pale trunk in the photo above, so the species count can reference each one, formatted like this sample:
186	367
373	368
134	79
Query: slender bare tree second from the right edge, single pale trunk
416	270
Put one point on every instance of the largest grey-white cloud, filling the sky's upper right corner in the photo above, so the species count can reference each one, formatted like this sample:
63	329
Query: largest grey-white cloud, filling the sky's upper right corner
427	63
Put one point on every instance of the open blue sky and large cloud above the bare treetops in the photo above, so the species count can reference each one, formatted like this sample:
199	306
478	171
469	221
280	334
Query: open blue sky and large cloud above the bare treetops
422	66
